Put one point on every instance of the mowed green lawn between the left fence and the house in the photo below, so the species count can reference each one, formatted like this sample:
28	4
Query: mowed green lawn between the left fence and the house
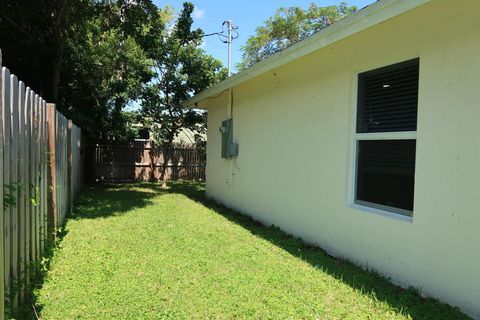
140	252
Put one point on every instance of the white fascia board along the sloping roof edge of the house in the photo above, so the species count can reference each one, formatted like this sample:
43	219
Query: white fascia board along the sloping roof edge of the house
367	17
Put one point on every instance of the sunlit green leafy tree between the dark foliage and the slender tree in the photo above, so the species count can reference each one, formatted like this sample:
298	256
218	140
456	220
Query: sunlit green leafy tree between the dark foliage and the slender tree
109	58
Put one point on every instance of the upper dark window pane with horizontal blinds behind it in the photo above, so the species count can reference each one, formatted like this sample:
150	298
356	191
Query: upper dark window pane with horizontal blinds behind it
388	98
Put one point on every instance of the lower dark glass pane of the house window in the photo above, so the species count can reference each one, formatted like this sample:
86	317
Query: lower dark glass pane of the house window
385	172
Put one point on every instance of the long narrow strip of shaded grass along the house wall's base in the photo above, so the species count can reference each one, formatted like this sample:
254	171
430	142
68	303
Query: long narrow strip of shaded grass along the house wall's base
407	301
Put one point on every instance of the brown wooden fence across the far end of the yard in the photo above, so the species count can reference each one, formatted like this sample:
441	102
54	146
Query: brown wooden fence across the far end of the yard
143	161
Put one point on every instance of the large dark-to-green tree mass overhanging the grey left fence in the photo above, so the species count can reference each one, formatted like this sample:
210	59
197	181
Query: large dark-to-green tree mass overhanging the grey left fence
91	57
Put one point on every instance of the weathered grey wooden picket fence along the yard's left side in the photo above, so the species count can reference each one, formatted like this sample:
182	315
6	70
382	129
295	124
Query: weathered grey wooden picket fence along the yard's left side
41	161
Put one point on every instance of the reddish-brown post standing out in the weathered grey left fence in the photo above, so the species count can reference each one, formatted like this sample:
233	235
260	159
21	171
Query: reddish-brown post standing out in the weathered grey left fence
52	188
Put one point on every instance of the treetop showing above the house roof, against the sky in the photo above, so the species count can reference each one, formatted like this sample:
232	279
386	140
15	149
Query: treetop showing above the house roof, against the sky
288	26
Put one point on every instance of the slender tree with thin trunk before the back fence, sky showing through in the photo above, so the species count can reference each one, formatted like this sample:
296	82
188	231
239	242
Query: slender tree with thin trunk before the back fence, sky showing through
181	69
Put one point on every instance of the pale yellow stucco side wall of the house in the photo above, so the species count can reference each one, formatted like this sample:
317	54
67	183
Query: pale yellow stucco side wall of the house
295	129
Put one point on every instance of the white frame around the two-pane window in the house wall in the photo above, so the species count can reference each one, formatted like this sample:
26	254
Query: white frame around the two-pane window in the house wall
352	202
